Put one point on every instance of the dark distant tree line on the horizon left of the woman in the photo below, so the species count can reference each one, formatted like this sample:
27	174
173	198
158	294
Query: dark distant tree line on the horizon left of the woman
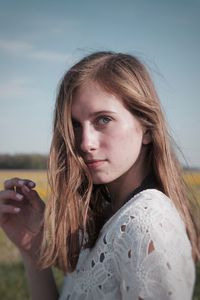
23	161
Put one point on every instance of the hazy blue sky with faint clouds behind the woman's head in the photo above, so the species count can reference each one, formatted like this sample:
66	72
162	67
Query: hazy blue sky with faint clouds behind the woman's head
40	40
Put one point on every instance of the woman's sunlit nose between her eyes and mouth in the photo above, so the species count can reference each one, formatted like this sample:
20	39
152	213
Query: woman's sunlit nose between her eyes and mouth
89	140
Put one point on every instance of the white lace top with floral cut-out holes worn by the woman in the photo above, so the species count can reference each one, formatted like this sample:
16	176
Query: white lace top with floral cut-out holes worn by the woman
142	252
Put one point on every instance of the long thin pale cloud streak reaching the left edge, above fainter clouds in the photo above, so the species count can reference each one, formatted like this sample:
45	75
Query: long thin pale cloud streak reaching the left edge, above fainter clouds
25	49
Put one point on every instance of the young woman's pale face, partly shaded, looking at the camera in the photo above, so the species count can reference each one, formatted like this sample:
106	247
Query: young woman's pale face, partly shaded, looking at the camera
109	138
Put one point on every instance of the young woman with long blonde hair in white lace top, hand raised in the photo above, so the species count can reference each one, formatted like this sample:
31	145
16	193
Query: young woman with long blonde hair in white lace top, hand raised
118	222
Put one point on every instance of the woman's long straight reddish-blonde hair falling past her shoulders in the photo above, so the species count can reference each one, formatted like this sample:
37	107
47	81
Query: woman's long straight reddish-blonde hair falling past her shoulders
75	205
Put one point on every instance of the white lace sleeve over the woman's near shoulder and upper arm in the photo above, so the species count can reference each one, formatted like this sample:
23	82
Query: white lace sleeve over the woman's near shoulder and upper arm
153	253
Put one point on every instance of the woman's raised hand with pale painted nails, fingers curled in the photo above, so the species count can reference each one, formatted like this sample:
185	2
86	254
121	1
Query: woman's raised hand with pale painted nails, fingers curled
21	215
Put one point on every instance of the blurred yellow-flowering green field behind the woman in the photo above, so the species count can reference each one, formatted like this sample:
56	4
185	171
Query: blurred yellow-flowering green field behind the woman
12	276
